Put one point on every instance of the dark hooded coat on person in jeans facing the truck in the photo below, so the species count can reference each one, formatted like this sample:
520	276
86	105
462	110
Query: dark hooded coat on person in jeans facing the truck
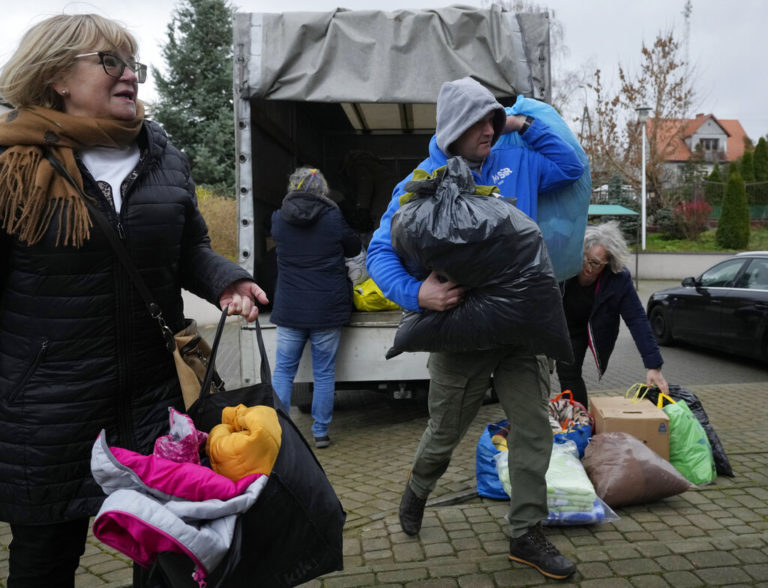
312	238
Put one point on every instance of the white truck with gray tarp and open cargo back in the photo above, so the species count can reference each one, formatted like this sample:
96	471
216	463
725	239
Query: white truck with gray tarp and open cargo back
353	93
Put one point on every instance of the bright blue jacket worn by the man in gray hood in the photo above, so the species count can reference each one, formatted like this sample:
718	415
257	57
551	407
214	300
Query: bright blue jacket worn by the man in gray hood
518	172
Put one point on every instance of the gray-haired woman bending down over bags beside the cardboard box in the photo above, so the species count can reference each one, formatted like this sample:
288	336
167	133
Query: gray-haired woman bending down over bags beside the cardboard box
594	300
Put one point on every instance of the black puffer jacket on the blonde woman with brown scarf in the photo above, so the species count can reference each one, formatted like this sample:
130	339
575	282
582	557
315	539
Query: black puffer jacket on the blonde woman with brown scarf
78	349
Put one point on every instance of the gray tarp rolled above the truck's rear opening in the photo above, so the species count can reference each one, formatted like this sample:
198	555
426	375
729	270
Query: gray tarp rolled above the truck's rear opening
399	56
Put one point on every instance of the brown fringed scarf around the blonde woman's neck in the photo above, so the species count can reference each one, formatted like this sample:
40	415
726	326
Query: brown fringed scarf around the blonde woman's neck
32	194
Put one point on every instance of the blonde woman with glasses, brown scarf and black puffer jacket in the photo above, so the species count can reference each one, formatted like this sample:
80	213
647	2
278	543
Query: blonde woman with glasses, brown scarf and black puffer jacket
79	351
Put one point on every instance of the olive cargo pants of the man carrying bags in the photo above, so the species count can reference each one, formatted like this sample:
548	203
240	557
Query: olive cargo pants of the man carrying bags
459	382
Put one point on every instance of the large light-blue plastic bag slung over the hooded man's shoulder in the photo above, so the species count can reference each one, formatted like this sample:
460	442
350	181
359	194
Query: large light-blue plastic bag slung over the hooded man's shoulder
562	214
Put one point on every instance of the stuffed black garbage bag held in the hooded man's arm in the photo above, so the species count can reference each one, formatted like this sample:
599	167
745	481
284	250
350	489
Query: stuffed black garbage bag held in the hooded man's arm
497	252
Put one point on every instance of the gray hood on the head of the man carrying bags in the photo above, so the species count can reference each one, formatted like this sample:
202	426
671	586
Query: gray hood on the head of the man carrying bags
461	104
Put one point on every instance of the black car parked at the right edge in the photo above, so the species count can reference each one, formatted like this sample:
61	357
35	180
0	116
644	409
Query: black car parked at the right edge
725	308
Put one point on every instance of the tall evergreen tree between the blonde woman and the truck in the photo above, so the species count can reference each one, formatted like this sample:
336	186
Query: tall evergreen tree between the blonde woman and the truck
195	97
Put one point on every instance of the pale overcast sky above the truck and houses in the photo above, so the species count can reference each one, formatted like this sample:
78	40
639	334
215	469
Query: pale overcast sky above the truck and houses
725	44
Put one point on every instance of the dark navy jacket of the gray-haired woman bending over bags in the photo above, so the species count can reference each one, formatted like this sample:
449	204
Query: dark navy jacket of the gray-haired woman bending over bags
615	297
